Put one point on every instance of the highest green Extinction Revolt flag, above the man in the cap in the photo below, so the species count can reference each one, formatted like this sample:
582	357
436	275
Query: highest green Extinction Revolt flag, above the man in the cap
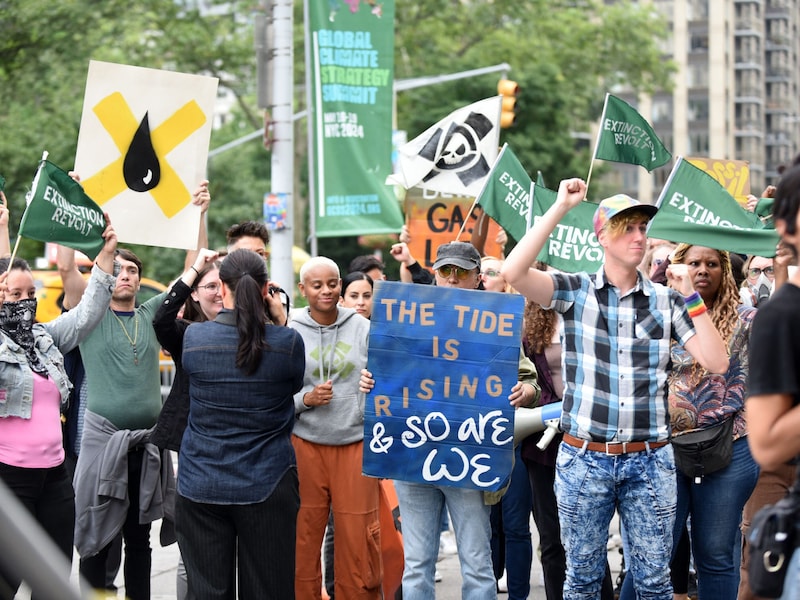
626	137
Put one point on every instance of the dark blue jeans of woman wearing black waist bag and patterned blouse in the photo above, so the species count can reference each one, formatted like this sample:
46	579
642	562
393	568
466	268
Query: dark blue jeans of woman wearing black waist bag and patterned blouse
715	507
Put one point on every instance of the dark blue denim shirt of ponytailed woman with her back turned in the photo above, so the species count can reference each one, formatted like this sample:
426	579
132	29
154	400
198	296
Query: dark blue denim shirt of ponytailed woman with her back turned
237	444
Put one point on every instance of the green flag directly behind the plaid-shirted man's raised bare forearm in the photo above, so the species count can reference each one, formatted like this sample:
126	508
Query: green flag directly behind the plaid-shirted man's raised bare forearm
573	246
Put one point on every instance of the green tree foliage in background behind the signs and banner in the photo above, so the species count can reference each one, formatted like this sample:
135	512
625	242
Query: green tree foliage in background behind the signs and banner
565	55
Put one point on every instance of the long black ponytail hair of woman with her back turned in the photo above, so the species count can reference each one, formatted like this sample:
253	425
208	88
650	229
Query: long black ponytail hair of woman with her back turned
245	274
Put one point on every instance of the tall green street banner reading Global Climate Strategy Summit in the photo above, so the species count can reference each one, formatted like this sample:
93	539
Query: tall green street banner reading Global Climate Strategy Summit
350	75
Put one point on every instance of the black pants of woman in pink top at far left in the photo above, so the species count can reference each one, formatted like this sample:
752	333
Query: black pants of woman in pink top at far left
48	495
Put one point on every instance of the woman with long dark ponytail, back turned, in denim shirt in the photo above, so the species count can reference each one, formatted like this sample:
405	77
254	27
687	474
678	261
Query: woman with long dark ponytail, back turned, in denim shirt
237	483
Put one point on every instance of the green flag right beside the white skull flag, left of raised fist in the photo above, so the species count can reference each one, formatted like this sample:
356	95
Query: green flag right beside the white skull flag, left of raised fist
505	194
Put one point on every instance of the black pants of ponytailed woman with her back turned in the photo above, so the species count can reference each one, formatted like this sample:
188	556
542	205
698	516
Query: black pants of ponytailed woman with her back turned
259	538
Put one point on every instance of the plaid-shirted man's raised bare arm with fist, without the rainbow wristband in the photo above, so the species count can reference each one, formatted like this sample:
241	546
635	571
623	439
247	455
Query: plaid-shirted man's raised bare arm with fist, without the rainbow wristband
517	268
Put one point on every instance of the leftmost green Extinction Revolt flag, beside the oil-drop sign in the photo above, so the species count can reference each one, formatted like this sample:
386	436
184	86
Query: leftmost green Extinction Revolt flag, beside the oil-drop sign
59	211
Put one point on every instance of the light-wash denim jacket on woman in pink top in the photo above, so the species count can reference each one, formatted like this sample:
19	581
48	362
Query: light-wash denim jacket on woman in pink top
53	340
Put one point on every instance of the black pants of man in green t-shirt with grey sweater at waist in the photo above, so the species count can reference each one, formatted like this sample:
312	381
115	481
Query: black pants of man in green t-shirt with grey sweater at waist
136	537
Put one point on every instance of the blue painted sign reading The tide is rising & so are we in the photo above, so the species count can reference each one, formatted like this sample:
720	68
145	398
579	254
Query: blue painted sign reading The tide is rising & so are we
444	361
